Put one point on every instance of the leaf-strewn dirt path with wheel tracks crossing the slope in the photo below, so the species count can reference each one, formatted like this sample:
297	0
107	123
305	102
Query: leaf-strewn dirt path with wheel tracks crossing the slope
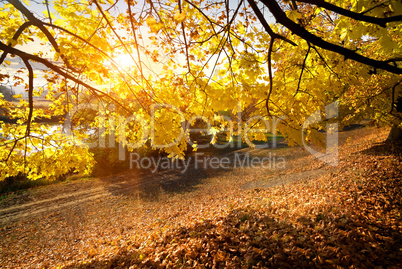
65	196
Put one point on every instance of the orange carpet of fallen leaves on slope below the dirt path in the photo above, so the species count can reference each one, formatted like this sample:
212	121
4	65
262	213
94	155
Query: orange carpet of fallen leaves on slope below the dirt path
348	218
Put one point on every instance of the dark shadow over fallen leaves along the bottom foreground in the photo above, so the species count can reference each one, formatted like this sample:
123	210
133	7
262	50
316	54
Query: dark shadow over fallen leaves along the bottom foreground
248	239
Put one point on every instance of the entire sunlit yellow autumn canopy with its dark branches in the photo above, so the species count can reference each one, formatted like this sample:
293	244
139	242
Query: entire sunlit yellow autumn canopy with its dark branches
152	68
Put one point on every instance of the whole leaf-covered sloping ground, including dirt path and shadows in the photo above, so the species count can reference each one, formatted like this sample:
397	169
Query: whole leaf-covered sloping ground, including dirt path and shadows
297	213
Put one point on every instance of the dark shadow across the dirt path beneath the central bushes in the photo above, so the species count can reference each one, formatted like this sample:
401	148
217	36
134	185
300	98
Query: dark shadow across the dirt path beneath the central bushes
151	182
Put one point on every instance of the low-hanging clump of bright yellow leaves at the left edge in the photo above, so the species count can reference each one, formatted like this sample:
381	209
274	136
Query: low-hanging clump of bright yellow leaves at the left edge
48	154
